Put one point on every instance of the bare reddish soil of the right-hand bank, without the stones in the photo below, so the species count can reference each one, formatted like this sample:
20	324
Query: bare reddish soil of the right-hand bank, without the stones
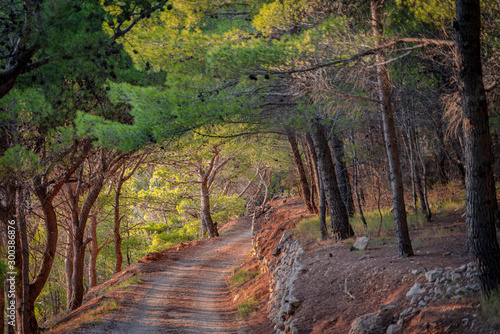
372	278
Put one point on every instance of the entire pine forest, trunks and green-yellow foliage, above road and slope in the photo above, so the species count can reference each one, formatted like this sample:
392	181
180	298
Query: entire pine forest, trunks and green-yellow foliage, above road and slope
129	126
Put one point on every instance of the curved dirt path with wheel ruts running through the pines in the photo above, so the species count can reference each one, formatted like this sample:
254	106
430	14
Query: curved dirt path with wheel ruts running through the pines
190	295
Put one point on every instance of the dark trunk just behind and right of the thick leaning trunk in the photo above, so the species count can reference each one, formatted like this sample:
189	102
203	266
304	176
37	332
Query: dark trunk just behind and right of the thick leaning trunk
342	175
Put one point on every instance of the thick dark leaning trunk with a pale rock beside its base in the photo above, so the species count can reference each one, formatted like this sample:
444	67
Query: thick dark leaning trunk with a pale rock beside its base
341	229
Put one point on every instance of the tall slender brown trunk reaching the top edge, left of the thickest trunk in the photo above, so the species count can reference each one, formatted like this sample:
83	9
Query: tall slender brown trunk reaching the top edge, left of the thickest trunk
385	106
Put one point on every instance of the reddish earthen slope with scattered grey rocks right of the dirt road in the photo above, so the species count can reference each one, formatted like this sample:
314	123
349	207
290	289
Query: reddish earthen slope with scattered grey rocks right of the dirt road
433	292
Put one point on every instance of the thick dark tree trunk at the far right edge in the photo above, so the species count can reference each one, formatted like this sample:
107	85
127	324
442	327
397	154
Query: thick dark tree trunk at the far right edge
480	184
